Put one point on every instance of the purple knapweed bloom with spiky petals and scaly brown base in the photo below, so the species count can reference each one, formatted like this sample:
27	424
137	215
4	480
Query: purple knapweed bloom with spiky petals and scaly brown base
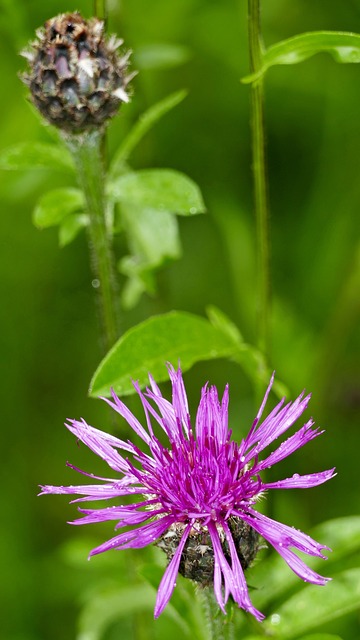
196	495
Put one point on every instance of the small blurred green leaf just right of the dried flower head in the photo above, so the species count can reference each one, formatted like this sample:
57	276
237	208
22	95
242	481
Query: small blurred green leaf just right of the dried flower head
161	55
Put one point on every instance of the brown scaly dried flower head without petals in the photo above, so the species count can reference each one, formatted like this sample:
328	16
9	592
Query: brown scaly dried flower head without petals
76	77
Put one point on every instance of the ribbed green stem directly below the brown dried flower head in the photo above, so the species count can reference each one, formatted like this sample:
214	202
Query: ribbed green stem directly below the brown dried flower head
86	151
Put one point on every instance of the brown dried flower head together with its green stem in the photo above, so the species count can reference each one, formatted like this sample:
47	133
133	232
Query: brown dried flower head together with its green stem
78	80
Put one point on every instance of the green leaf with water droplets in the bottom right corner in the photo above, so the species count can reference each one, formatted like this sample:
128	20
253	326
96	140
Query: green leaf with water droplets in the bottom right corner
314	606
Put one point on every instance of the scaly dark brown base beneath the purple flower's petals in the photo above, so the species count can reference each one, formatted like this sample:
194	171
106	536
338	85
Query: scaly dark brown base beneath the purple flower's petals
197	560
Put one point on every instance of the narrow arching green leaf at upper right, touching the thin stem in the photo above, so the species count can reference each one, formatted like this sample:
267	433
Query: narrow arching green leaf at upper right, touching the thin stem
344	47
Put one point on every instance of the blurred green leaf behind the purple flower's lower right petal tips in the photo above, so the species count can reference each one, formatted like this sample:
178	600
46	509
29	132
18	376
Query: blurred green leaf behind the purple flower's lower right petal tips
272	576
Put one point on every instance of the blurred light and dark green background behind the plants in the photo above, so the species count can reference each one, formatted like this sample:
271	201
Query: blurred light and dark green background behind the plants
49	338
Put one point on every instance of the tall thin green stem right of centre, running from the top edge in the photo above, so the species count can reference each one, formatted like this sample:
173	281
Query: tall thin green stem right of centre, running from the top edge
259	177
